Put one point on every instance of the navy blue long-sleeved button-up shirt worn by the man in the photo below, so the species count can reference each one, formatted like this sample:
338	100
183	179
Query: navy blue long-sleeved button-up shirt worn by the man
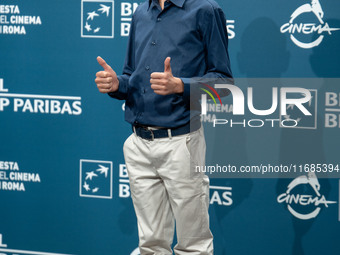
193	33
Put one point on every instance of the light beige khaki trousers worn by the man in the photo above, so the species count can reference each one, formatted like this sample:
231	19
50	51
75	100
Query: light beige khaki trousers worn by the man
165	190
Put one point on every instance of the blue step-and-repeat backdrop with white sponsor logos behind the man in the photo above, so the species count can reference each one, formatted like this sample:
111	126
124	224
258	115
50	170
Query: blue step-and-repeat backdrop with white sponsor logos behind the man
63	183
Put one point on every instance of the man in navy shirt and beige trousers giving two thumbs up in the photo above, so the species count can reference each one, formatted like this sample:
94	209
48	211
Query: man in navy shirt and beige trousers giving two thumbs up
170	42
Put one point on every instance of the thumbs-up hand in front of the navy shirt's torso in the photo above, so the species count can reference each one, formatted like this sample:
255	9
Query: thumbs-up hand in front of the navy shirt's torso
165	83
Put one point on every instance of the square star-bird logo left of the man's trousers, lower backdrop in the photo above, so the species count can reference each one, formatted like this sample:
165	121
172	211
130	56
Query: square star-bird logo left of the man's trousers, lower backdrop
95	179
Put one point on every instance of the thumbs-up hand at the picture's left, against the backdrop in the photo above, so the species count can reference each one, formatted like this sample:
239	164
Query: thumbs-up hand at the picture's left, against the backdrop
106	80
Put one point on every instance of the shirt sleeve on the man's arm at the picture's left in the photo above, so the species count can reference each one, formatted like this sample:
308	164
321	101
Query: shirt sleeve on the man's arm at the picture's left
129	67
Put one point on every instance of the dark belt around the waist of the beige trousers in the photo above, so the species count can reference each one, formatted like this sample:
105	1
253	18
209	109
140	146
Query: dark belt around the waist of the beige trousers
150	134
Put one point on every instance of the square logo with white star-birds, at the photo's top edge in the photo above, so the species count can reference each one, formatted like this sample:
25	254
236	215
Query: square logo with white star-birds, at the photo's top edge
97	18
